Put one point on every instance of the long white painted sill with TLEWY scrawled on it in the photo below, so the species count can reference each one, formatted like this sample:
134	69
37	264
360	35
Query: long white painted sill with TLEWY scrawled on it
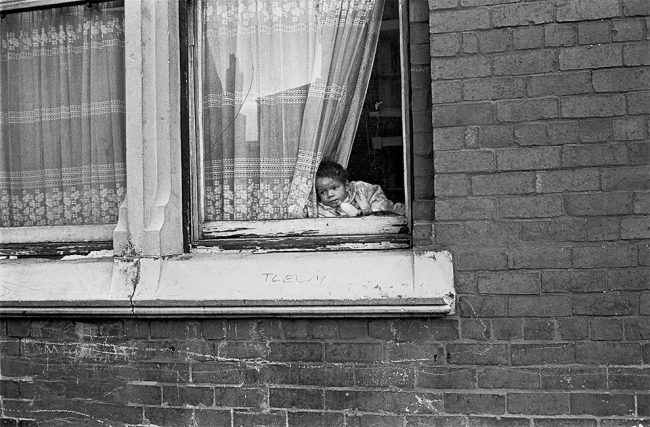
351	283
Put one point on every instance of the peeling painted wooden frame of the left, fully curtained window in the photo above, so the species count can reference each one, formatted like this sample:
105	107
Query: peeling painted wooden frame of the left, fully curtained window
55	240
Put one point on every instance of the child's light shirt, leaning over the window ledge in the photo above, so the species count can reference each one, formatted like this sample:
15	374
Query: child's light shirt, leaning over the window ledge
366	197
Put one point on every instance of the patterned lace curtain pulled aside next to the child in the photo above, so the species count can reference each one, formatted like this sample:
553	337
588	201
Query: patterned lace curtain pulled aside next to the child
283	86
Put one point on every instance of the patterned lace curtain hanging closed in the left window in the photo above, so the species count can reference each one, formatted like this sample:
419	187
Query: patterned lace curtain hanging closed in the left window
62	115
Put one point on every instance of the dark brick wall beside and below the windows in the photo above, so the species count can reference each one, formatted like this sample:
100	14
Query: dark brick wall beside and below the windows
540	154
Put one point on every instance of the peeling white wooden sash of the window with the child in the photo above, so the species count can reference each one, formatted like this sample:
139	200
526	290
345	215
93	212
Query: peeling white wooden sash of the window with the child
201	229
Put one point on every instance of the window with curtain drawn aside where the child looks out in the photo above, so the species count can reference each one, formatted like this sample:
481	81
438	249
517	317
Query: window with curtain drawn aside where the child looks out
274	89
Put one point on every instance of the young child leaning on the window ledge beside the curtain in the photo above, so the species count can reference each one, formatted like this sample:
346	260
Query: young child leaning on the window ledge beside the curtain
339	197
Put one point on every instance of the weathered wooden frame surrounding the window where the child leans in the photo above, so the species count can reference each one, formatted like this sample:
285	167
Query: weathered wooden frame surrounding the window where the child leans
308	233
